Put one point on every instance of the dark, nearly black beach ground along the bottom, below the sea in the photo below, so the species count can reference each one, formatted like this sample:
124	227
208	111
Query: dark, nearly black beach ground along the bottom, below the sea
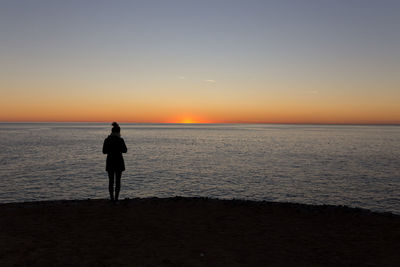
194	232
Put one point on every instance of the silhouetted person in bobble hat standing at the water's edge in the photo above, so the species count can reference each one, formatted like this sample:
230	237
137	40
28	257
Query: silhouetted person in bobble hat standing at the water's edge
114	146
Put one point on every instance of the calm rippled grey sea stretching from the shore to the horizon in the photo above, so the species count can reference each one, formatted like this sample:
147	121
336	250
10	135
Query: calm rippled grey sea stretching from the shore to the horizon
358	166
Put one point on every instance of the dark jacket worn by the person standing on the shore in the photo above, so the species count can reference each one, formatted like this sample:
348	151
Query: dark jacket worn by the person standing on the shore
114	146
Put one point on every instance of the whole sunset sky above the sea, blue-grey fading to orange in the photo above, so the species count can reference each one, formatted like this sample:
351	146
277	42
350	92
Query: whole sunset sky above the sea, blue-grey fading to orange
200	61
